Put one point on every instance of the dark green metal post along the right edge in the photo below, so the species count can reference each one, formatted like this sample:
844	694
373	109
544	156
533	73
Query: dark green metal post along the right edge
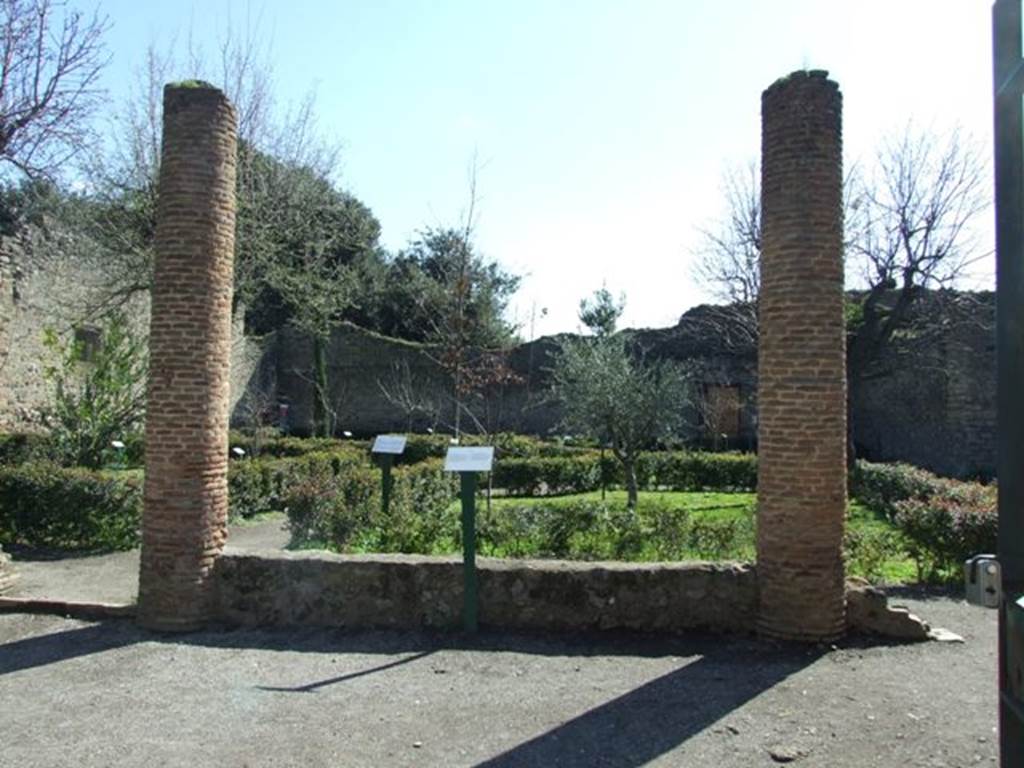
1009	87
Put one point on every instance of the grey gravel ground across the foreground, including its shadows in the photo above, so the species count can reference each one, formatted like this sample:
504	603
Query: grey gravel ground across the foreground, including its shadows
76	694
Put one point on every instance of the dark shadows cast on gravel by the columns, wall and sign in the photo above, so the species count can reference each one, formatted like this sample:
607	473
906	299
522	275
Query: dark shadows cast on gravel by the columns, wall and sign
716	676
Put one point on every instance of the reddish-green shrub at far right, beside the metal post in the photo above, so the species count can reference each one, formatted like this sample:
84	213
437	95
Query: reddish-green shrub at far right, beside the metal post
956	522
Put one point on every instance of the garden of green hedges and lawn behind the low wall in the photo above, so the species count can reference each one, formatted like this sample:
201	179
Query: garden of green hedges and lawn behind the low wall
545	499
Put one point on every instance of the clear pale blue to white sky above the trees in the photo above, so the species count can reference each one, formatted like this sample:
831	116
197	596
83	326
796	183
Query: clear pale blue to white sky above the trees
602	129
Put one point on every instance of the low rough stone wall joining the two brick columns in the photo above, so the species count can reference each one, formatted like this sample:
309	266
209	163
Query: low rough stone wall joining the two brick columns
407	591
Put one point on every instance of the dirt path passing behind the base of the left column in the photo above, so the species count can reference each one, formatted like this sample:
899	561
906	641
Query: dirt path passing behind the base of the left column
114	578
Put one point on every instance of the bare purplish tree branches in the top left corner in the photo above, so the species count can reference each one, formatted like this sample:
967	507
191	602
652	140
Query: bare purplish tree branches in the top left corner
50	73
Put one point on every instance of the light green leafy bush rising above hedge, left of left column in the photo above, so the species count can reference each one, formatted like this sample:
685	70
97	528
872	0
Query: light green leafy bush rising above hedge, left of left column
99	395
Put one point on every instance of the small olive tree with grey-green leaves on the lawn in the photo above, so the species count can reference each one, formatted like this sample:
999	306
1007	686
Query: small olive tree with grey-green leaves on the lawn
622	401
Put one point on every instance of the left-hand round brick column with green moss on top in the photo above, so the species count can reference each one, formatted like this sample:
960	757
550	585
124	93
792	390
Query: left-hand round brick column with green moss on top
186	506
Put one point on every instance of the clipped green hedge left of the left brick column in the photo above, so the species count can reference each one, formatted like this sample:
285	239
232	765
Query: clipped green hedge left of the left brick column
44	505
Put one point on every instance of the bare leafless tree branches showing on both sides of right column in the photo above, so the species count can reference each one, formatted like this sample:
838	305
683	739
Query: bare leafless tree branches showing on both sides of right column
910	229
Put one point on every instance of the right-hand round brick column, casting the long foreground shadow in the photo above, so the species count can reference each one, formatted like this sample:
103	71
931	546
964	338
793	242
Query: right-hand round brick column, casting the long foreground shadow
801	362
